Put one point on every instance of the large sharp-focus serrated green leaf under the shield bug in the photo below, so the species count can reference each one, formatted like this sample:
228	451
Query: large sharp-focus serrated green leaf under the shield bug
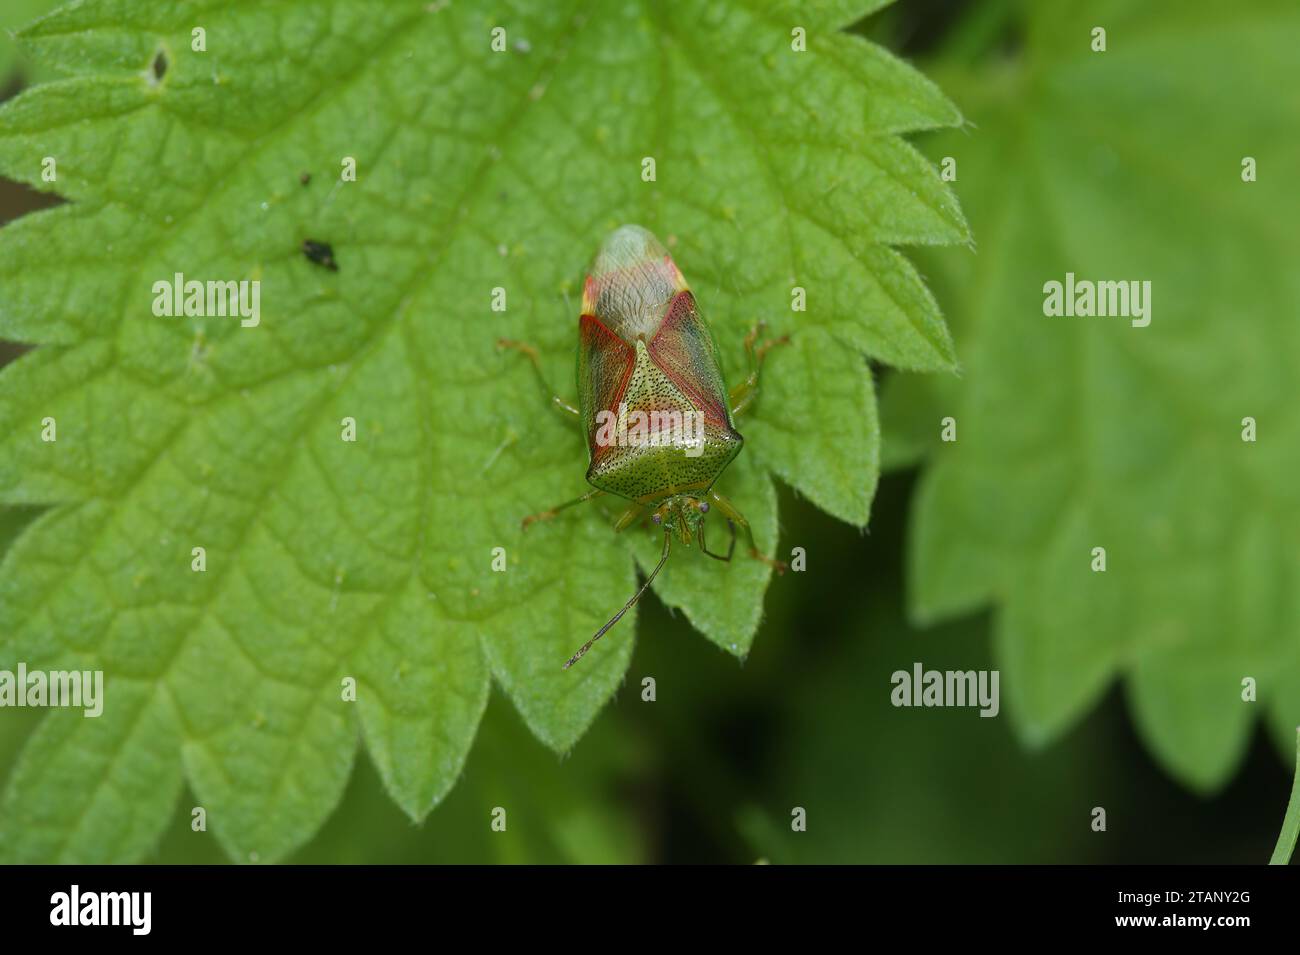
328	559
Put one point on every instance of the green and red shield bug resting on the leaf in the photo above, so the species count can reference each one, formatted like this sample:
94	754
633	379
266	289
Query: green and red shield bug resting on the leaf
653	402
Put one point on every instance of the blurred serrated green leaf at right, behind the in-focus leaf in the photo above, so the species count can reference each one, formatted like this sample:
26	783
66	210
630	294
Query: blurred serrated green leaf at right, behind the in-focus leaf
1077	433
